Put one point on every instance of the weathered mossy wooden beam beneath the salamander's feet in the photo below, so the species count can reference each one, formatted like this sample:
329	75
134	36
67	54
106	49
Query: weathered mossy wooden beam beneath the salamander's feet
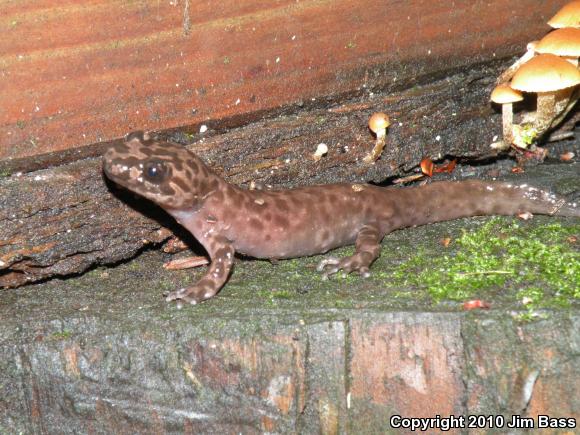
104	353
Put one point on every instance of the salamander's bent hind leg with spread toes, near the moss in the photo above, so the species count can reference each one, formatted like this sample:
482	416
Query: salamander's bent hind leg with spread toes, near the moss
367	250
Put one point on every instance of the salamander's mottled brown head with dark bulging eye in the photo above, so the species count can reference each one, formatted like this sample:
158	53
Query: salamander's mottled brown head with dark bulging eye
166	173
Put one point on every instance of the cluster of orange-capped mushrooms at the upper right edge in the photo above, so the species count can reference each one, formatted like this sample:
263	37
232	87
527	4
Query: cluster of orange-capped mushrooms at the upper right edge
549	69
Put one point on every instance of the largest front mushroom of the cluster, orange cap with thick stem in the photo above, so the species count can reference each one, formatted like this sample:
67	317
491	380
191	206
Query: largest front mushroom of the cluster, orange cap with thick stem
545	74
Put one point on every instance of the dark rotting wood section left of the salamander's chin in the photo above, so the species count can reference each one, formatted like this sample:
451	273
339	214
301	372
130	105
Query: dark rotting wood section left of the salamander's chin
61	221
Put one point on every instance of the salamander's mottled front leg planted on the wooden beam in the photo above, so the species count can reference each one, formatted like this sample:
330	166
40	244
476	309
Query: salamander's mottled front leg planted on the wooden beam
221	253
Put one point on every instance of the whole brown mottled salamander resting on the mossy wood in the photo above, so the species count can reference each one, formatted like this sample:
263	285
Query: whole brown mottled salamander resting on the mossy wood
292	223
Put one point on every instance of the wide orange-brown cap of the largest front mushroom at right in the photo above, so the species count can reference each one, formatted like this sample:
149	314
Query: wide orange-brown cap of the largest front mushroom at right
545	73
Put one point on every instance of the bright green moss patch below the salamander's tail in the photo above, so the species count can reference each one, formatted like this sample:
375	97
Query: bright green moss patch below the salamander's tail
537	266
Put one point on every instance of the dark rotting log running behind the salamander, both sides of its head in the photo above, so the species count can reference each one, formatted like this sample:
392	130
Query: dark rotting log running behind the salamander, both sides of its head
64	220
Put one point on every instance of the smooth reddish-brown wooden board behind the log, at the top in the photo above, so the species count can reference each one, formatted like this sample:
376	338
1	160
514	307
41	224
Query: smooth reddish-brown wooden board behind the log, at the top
76	73
